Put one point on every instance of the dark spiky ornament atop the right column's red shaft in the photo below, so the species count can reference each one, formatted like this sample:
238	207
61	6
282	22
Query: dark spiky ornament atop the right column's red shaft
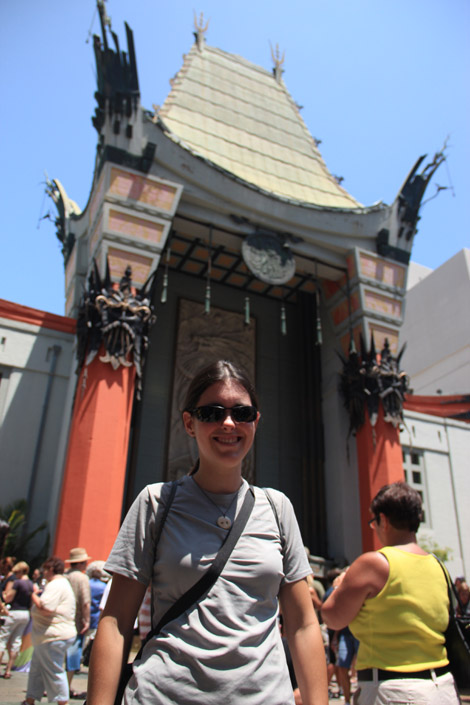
368	380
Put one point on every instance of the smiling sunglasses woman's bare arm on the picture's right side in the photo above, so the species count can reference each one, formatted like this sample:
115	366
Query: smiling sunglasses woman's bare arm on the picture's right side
303	635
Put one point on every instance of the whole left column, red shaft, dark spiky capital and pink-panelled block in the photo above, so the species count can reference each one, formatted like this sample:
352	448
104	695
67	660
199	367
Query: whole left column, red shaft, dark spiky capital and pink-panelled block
123	232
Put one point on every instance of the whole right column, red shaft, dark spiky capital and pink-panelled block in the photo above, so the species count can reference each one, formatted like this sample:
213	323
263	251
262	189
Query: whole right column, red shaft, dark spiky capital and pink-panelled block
368	305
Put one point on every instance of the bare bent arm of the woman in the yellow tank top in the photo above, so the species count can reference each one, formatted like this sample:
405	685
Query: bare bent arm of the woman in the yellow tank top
364	579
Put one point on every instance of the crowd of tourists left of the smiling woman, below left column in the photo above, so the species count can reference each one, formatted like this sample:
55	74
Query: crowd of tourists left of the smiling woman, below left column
47	620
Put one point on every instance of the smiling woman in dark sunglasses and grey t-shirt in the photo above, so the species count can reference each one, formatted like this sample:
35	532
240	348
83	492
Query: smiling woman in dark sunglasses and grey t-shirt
227	647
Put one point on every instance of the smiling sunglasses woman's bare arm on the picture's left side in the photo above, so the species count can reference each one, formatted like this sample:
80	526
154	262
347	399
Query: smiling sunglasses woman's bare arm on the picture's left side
113	639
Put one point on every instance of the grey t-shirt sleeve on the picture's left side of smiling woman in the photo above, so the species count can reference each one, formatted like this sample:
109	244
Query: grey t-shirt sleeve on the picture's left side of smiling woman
133	552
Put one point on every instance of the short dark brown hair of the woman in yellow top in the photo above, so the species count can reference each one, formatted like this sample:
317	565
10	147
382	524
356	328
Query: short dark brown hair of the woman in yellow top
401	504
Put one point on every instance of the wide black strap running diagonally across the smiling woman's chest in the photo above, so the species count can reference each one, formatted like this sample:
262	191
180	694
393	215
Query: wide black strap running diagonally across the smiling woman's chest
212	573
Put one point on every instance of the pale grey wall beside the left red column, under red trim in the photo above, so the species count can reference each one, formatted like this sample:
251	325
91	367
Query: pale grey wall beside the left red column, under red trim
29	425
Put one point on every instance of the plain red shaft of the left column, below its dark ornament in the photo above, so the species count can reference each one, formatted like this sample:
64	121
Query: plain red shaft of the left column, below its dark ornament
95	470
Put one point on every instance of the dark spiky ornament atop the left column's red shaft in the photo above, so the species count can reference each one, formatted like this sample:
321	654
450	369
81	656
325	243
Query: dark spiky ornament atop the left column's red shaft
116	318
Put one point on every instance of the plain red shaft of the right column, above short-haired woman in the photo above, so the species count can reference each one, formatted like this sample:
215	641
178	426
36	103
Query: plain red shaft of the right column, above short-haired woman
379	464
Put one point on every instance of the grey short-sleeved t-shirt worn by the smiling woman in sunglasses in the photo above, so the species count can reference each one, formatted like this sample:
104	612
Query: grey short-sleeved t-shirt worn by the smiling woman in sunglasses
227	647
